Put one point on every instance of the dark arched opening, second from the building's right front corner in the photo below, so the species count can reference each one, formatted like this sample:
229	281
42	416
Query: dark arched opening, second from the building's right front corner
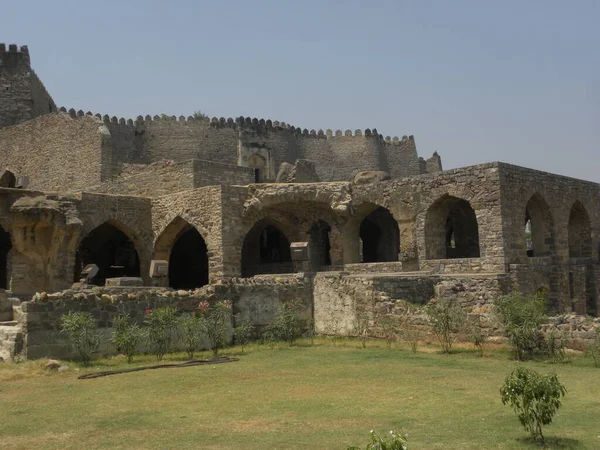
380	237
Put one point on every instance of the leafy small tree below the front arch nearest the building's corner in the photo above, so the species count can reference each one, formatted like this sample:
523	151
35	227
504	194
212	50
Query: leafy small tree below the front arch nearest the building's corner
447	320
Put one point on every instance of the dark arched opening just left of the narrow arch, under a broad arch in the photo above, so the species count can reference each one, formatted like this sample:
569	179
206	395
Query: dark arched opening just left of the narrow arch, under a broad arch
266	250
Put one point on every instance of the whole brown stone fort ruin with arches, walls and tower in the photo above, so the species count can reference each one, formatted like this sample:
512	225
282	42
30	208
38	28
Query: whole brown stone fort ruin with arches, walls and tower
221	200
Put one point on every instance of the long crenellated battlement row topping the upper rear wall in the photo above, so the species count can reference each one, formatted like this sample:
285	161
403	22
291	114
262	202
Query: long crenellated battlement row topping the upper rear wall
243	123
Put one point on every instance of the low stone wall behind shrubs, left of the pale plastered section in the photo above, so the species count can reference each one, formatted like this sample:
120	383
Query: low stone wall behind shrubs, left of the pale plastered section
258	299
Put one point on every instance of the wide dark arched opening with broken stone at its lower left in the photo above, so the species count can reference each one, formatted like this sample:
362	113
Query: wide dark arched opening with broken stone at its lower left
111	250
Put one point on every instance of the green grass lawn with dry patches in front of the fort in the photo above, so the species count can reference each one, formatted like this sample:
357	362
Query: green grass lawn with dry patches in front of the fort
321	397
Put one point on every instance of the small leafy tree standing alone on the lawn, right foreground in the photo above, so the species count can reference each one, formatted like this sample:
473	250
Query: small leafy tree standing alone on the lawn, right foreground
534	397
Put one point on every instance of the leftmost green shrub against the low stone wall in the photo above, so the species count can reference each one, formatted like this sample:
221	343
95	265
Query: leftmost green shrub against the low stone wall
82	330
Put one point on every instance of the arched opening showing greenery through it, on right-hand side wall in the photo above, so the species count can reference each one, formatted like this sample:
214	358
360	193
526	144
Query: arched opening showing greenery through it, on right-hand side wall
539	240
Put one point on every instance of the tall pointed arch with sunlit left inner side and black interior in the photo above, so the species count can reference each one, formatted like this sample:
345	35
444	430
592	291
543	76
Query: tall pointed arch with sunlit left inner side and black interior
183	246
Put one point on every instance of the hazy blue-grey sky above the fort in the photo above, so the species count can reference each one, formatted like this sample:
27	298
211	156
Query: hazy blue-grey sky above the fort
478	81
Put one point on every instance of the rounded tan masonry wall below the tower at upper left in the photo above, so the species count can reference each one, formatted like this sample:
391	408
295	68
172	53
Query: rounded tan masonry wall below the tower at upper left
57	152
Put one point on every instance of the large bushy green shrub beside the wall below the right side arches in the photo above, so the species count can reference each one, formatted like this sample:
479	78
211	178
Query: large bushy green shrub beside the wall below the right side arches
521	317
